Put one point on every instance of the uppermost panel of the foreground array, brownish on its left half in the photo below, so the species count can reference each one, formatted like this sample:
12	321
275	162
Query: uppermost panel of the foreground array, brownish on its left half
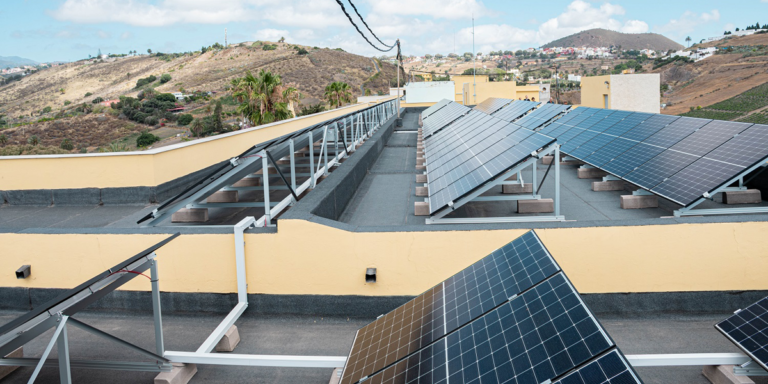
507	271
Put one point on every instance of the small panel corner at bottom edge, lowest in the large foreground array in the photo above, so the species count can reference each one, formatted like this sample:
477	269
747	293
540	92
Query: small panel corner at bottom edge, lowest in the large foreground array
611	368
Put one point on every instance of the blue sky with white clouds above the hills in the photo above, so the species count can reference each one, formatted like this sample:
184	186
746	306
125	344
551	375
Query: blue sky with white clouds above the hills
48	30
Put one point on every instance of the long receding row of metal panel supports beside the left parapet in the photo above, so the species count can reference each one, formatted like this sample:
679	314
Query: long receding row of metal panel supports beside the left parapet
363	124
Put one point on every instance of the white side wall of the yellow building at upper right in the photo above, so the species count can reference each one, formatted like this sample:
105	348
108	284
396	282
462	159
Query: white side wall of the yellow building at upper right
637	92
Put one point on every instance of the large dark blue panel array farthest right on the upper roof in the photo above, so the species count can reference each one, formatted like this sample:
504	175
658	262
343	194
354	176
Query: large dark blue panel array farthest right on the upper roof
678	158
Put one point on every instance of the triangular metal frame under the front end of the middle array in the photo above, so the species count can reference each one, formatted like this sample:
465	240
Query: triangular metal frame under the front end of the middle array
475	195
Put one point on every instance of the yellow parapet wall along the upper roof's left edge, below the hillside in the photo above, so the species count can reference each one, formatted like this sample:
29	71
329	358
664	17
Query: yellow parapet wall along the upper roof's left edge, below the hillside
148	168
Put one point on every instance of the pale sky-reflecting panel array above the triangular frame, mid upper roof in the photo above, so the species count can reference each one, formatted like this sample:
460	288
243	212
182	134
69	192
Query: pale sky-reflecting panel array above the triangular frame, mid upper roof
472	151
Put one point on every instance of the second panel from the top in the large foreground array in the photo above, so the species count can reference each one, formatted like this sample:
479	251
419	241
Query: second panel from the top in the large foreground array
538	336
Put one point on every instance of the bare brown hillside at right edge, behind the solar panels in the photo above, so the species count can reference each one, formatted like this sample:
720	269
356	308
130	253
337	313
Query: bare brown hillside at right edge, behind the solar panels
717	78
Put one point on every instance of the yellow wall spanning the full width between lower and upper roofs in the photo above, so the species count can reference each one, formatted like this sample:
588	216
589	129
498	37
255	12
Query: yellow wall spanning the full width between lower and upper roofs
654	258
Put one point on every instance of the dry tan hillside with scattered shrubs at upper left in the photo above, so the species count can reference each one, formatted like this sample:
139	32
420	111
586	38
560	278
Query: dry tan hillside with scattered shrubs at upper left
210	71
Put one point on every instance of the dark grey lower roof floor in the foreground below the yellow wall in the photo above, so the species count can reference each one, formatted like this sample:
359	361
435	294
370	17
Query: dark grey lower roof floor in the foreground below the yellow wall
333	336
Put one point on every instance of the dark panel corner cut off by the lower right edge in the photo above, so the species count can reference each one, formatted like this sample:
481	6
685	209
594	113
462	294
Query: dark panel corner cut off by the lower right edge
748	329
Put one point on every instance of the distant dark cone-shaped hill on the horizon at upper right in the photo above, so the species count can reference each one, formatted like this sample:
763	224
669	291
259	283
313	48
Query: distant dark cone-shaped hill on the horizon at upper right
605	38
